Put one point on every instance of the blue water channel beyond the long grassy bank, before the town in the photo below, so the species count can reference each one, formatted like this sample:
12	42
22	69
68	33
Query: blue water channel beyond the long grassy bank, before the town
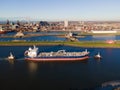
54	36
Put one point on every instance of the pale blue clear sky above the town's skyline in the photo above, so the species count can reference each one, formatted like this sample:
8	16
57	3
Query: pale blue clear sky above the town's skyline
80	10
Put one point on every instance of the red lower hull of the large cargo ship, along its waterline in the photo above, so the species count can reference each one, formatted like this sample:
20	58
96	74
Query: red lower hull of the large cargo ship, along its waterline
39	59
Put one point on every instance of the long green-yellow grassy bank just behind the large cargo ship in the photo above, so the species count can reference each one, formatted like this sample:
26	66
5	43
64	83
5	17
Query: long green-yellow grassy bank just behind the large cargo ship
92	44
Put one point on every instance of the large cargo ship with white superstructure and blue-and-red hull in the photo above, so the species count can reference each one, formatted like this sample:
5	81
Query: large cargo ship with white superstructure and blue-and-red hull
61	55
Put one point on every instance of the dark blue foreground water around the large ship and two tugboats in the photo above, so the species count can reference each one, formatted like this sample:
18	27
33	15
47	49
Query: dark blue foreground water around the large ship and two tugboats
90	74
